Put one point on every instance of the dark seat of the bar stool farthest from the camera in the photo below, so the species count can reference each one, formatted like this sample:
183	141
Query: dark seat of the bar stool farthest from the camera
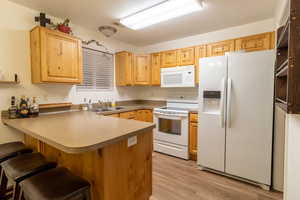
12	149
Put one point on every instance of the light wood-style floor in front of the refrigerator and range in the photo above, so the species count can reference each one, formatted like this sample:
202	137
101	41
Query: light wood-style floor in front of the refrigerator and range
176	179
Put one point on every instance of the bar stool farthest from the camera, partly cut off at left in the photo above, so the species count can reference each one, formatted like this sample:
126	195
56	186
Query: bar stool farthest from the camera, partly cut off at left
7	151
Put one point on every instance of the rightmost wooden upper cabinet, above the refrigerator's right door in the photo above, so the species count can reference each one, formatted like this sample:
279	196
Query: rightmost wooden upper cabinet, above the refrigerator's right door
255	42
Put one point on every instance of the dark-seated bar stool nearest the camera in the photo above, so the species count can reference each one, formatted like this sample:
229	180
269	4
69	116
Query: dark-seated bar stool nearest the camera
58	184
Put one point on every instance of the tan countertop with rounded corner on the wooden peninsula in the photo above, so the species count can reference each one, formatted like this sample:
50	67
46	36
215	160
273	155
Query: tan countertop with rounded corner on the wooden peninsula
79	131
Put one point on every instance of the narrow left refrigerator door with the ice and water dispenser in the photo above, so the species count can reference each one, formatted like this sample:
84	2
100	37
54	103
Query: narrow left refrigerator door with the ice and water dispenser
212	100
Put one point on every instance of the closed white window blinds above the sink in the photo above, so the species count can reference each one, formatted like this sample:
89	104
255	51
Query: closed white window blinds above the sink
98	70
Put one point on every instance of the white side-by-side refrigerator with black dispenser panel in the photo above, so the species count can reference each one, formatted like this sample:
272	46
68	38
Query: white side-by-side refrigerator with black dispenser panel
236	115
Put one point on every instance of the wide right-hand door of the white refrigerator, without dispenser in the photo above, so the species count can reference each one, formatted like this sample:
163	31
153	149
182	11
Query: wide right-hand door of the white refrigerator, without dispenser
250	116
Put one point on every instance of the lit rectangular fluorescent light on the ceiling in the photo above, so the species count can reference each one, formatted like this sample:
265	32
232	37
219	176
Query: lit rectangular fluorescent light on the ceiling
162	12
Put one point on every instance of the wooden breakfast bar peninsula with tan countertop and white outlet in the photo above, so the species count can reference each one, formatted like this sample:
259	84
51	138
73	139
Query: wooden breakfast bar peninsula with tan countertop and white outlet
113	154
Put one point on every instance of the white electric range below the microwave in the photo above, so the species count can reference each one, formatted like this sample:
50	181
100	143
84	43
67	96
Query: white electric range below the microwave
172	127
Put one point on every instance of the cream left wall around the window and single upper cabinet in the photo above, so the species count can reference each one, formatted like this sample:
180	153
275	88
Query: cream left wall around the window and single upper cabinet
15	24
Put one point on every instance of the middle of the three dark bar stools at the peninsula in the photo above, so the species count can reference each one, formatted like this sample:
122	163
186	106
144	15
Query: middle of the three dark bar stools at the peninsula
24	166
